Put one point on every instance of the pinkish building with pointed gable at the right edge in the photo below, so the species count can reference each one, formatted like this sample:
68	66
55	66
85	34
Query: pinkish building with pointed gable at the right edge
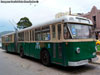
94	15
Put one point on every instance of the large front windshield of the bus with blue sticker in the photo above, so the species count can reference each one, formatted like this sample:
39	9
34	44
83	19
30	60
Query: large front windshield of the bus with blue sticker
80	31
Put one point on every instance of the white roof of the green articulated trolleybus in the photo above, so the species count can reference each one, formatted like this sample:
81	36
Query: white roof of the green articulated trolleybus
67	18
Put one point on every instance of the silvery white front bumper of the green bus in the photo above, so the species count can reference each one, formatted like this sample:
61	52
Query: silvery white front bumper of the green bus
82	62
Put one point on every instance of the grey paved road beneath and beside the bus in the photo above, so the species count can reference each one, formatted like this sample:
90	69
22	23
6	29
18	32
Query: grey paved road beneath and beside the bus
12	64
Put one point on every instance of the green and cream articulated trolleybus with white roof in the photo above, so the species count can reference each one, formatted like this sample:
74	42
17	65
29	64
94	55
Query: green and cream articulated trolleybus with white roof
67	41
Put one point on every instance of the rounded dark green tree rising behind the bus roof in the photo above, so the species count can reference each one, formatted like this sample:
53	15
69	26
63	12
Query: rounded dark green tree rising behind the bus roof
24	23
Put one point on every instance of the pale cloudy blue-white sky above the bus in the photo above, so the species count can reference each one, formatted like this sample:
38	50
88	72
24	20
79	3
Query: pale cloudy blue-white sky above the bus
45	10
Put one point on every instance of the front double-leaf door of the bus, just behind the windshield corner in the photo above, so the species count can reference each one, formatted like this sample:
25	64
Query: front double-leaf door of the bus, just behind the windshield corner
57	46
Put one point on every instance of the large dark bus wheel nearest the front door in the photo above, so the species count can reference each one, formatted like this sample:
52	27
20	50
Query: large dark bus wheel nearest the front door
45	58
